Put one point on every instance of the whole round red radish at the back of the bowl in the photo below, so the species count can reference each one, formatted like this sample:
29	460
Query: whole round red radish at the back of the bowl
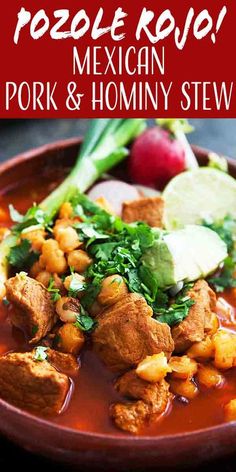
156	157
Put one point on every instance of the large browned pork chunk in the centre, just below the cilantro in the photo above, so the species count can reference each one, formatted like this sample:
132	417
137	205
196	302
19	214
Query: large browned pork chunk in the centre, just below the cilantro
126	333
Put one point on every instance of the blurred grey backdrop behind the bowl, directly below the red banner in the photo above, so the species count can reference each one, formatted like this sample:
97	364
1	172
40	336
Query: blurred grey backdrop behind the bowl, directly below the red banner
17	136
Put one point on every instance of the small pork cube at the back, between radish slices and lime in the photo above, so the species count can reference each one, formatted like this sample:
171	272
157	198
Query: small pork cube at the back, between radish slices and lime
149	210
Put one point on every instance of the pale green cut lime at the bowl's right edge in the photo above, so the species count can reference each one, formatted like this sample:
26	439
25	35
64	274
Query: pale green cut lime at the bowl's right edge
199	194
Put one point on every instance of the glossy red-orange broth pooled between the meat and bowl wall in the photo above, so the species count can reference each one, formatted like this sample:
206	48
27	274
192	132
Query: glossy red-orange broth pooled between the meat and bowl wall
93	392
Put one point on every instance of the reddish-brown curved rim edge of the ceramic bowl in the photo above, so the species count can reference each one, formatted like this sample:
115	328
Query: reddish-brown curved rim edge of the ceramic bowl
94	437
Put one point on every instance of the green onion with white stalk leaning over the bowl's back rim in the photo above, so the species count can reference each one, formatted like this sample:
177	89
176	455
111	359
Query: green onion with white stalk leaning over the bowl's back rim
104	146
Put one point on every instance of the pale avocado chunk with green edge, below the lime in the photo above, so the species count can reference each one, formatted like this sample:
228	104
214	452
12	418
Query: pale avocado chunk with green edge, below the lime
187	254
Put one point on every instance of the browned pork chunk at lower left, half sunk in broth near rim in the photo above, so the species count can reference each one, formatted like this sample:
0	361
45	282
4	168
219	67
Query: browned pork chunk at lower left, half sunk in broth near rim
31	384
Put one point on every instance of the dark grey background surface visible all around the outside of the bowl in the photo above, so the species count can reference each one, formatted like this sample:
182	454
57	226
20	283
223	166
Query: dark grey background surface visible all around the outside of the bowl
17	136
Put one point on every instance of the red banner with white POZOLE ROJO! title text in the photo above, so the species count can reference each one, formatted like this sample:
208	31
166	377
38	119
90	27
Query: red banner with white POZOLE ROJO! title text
117	58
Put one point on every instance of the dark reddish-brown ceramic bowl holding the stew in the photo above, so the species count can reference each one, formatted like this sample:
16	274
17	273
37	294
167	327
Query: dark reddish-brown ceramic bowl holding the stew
101	450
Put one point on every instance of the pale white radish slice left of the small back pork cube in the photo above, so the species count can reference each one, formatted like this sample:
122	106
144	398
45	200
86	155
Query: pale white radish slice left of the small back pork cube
115	192
